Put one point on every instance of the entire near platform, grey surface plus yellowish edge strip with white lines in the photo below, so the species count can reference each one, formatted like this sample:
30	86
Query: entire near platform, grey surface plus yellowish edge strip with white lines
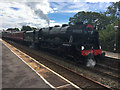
22	71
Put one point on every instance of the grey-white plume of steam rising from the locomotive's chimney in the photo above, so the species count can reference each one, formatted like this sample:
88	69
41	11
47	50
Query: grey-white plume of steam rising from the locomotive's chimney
38	12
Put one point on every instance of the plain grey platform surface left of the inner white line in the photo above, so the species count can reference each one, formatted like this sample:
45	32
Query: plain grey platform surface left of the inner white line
15	74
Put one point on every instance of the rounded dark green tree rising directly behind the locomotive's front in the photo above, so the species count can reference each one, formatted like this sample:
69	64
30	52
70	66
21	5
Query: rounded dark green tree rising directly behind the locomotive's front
97	19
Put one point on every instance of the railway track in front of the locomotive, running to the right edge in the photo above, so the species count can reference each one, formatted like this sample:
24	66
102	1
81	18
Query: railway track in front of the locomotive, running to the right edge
103	70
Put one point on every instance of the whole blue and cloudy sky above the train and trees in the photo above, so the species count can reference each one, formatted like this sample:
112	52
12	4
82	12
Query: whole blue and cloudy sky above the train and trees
41	13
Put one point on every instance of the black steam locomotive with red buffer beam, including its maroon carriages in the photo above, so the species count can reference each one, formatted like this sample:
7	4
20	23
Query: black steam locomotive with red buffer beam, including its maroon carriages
80	41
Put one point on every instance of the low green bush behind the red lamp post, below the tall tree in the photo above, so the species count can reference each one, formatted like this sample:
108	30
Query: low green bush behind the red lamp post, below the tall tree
107	38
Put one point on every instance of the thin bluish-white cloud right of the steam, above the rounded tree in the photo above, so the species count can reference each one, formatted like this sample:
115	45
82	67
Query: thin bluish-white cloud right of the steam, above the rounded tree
74	7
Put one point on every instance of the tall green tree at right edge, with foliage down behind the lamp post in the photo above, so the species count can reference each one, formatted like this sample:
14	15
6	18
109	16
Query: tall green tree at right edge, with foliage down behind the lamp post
107	36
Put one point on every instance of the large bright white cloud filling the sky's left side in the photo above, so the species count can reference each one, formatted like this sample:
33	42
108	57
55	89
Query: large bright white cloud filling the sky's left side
17	14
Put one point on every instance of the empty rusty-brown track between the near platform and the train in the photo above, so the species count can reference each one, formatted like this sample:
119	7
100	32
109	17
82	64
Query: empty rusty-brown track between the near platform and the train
80	80
